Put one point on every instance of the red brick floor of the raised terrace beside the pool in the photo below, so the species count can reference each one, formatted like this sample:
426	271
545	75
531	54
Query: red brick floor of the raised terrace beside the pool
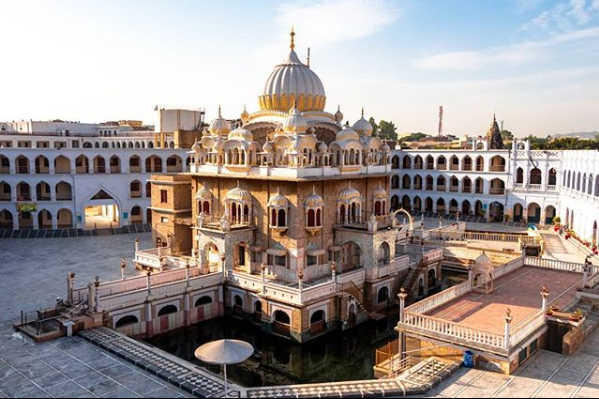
519	291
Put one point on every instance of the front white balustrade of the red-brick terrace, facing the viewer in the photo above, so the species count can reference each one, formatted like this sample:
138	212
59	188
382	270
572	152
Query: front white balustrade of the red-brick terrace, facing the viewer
454	331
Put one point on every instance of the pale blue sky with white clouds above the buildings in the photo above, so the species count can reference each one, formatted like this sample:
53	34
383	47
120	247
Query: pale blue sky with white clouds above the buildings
535	63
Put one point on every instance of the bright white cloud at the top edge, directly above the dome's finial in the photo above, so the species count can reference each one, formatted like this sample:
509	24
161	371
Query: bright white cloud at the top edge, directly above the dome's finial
332	21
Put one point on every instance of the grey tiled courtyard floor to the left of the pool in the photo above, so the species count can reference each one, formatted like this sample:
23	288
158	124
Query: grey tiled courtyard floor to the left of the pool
32	274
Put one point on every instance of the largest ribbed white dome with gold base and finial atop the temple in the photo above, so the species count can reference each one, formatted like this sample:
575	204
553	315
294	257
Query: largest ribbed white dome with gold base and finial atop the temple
290	81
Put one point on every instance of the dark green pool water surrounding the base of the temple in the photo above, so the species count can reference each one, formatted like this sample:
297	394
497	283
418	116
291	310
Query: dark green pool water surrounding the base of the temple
339	356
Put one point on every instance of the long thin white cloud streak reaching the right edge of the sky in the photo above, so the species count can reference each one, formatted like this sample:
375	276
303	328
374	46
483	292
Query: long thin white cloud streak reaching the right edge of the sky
513	55
